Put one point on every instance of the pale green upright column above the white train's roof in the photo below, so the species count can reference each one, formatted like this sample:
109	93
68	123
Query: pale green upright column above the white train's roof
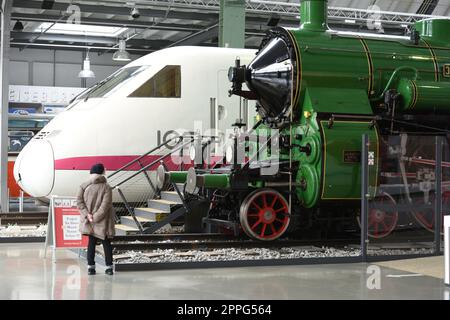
232	24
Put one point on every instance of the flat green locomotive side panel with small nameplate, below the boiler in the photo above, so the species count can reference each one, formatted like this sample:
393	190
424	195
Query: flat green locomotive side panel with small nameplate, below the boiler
342	159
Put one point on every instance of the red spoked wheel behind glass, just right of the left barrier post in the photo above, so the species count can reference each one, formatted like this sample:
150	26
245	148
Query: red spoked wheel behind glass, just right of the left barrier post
382	221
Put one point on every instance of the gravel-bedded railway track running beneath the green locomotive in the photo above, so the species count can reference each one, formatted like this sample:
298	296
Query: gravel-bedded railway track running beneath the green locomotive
179	251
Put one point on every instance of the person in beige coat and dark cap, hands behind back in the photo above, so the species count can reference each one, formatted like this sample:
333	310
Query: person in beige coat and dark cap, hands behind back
94	200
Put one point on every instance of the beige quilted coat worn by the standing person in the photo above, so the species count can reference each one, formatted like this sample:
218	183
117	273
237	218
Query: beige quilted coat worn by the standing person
94	196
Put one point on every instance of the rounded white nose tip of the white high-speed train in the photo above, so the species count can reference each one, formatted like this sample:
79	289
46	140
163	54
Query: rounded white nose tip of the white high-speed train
34	168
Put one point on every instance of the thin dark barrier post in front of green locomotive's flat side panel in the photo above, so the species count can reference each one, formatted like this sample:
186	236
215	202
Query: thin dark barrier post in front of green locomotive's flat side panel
364	195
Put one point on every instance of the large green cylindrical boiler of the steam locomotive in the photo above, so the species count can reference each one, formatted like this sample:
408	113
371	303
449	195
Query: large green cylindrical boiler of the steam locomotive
347	62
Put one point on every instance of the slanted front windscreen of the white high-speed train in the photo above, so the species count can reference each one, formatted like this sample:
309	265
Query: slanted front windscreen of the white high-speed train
113	82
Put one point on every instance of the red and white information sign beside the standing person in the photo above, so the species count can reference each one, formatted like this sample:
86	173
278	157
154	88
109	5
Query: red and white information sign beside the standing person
66	222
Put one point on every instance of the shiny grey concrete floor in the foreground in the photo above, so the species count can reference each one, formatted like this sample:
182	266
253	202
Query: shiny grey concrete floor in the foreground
26	274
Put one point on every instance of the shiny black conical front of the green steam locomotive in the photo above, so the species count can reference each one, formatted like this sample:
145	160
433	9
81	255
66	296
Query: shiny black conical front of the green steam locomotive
270	77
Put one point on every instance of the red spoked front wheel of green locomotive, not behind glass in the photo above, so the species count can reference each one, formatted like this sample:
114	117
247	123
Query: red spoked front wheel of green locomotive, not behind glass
264	215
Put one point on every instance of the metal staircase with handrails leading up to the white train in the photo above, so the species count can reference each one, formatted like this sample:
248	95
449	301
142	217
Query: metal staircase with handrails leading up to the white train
154	208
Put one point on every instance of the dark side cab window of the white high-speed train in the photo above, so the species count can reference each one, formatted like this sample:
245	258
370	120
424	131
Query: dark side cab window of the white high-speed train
166	83
